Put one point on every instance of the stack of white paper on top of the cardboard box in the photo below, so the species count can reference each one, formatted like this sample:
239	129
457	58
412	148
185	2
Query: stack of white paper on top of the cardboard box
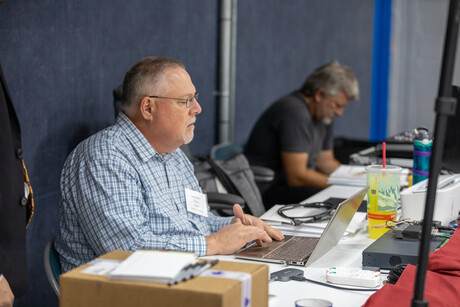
156	266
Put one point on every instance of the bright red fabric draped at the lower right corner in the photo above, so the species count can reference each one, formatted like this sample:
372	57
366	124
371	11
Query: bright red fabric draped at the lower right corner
442	285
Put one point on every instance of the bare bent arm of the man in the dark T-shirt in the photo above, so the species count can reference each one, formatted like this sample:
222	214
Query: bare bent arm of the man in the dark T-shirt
296	171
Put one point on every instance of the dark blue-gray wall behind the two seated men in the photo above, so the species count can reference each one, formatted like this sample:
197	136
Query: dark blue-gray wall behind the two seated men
61	60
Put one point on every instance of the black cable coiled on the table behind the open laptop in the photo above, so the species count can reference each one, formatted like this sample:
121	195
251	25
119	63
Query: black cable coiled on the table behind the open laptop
297	220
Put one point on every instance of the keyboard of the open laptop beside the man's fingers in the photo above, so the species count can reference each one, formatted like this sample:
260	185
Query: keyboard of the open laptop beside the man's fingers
295	248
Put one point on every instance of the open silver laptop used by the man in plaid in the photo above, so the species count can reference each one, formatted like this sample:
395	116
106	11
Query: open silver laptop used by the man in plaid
302	251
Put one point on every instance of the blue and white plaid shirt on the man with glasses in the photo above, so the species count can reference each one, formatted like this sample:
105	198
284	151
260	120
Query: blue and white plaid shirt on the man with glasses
119	193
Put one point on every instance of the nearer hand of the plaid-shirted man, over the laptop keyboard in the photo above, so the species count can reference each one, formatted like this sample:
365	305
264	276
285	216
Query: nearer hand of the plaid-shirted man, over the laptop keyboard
232	237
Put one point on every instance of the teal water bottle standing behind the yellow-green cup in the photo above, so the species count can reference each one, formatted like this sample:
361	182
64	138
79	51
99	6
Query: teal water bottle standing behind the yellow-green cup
423	142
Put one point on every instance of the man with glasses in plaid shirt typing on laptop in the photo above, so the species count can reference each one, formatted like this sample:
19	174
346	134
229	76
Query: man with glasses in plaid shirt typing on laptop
125	187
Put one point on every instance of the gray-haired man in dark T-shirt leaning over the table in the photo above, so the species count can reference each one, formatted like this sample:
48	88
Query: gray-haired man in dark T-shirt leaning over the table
294	136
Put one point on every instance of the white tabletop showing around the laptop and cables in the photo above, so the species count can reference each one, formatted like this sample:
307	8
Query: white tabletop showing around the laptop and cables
348	254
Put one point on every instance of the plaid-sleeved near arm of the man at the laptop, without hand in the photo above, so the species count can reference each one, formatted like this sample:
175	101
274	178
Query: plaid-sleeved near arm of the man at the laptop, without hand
109	204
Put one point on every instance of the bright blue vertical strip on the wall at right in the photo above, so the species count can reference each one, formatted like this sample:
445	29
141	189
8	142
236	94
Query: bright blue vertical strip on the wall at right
380	70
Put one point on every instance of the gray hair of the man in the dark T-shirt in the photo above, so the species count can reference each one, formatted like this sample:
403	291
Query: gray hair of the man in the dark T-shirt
333	78
